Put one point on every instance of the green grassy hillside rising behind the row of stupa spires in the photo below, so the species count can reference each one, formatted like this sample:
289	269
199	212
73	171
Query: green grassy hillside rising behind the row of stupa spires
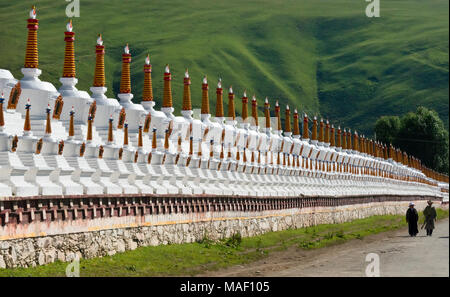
321	56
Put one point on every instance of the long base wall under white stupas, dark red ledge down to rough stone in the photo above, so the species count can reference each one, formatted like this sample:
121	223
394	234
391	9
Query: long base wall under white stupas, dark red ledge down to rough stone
37	231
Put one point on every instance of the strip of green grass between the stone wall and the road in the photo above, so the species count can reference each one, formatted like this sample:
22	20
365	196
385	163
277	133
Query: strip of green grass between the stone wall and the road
194	258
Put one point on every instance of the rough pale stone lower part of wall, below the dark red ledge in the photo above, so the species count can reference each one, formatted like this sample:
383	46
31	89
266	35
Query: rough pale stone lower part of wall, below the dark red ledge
182	228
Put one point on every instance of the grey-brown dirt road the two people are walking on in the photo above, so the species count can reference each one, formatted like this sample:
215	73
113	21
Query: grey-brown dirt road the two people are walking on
399	255
